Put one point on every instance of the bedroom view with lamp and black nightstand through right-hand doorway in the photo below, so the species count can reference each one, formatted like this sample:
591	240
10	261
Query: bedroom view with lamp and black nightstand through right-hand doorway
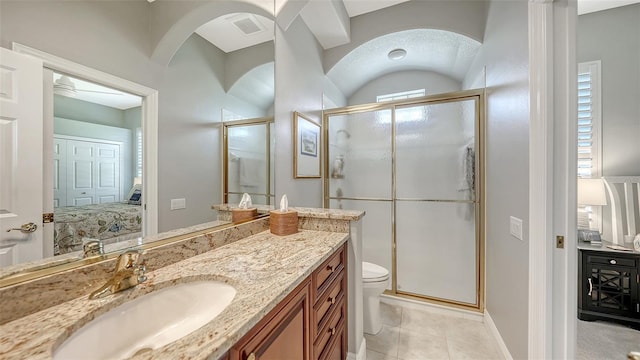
608	55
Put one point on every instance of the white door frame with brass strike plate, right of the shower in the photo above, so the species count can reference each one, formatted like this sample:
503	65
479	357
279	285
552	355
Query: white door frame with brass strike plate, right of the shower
552	304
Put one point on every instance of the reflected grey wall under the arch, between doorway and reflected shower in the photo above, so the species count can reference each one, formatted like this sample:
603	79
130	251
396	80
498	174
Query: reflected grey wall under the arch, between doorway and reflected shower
189	146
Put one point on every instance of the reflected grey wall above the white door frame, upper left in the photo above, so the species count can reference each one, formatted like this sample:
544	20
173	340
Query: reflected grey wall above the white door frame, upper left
111	36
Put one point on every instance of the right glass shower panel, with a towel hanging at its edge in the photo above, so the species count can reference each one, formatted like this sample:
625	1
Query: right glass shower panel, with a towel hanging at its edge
436	209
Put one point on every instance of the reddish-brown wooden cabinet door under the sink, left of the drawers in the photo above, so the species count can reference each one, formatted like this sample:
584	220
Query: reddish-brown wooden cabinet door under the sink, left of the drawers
284	334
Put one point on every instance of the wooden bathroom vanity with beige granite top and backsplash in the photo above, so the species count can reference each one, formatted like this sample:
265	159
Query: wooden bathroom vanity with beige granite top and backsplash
293	293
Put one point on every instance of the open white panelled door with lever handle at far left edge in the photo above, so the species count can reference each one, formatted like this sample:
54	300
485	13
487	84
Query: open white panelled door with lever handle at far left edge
21	190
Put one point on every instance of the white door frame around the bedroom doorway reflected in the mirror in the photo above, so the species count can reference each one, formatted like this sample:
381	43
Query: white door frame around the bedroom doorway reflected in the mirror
149	127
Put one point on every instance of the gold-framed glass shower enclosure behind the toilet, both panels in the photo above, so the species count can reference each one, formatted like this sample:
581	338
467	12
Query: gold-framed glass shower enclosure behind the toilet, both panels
416	167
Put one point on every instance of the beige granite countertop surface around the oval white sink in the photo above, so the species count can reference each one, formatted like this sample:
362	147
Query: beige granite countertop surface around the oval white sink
263	269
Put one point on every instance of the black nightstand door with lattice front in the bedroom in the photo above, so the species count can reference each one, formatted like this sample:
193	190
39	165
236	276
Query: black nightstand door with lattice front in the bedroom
610	289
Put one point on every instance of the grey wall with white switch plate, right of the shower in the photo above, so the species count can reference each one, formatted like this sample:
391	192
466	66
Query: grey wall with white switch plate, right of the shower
505	55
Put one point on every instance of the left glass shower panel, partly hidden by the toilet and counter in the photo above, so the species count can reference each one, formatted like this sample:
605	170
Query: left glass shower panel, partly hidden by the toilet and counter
360	176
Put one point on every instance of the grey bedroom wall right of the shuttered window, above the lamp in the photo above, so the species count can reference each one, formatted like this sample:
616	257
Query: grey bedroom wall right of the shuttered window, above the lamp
613	36
